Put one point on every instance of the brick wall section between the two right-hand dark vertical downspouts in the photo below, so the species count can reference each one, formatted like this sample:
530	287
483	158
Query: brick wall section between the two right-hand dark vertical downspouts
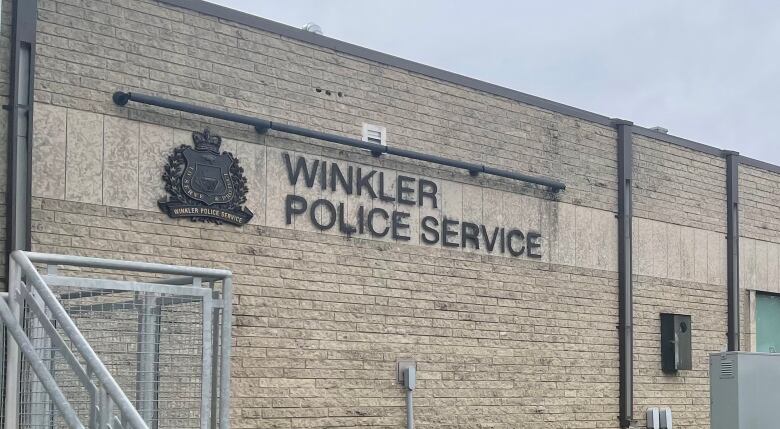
680	267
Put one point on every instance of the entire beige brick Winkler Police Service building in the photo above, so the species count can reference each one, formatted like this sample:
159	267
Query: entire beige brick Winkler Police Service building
503	338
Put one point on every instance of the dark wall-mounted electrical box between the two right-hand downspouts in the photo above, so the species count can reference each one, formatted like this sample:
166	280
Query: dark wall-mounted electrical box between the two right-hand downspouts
676	348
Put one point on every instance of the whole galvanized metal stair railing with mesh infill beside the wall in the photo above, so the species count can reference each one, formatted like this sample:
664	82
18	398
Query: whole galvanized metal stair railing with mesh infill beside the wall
77	345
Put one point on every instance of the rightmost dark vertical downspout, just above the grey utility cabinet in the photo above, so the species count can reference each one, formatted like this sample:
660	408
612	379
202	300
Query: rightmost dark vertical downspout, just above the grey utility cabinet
732	247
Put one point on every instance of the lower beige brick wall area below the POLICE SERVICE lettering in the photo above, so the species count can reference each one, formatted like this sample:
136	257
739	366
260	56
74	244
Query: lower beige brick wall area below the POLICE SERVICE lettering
320	322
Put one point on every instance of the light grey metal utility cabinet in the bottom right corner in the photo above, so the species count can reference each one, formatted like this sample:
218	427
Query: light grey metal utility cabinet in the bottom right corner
744	390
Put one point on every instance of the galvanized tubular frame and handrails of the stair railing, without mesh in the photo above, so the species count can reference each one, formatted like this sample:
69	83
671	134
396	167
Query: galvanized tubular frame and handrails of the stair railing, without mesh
34	289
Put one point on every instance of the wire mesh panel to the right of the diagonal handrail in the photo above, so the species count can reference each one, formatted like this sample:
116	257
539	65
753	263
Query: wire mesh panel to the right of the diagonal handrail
152	345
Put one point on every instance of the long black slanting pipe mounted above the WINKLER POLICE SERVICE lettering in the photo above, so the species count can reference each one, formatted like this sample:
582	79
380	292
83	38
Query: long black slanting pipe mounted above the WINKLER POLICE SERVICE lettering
262	125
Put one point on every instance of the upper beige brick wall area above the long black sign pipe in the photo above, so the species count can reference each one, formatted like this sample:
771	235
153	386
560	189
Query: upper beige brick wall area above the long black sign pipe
89	49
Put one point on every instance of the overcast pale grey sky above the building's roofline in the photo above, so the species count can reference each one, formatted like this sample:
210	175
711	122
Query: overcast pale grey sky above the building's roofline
708	70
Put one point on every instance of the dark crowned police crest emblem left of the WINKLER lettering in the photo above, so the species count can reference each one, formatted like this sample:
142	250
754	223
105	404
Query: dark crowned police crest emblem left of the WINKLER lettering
204	184
